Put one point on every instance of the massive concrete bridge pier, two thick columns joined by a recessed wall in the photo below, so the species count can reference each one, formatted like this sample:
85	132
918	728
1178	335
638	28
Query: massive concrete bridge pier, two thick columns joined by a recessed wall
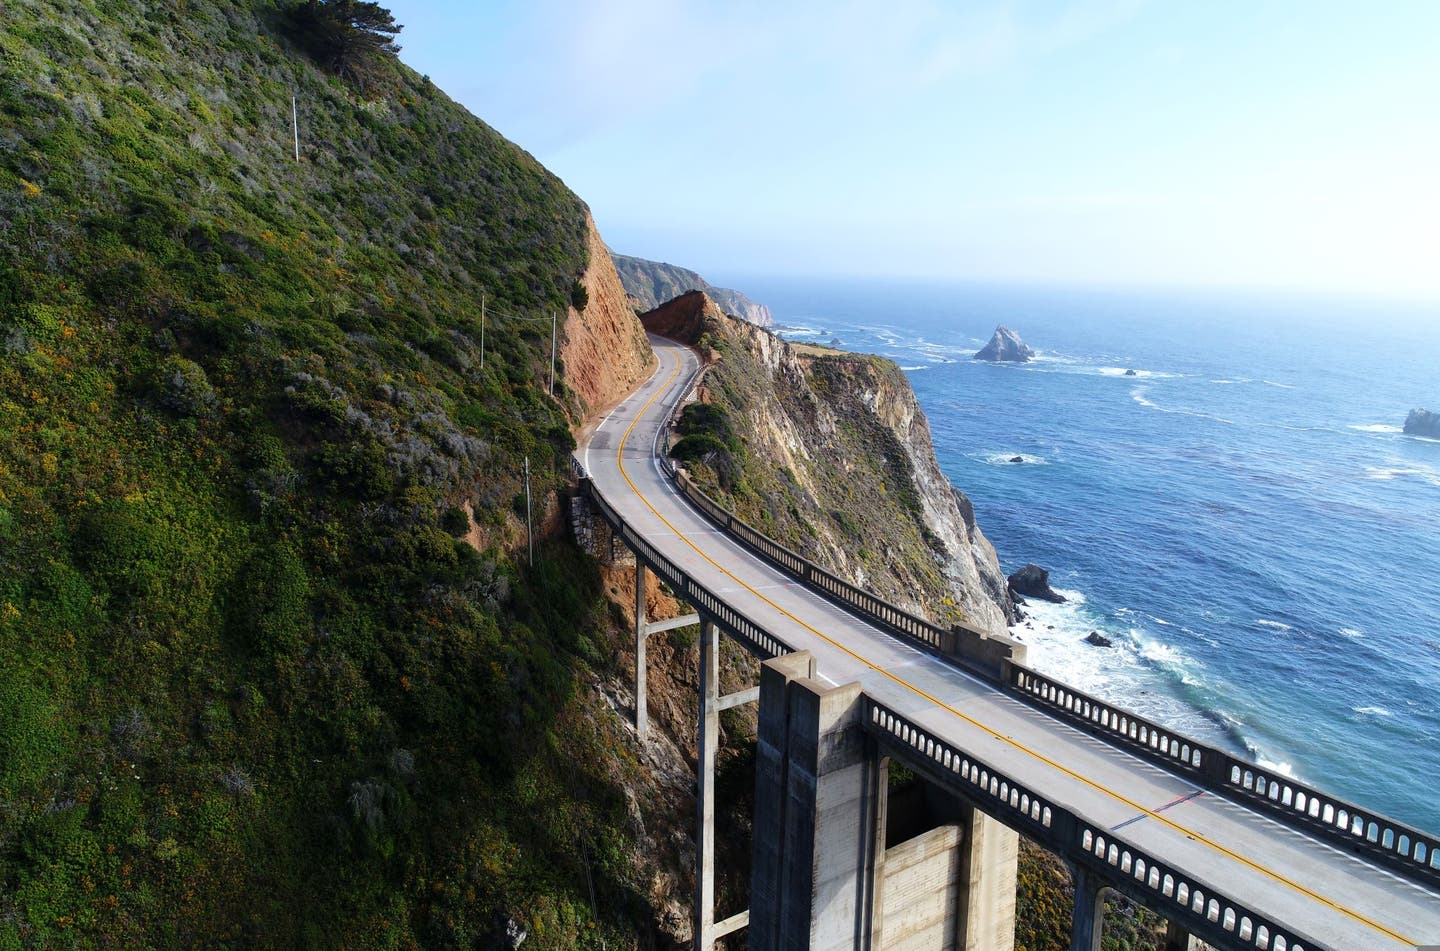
822	877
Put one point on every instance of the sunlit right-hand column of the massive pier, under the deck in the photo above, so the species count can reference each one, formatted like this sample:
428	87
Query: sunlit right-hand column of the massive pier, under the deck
986	913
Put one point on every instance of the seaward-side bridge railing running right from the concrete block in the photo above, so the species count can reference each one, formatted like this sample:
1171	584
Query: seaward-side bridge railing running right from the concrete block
1380	839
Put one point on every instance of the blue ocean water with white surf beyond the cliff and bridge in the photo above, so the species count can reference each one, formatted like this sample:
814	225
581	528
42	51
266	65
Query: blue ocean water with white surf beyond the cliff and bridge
1243	517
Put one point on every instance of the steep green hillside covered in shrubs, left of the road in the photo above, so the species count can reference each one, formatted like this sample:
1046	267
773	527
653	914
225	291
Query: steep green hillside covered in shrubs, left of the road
254	688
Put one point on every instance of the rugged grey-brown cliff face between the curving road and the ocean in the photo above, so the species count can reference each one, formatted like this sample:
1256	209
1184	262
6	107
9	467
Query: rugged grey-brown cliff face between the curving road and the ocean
837	462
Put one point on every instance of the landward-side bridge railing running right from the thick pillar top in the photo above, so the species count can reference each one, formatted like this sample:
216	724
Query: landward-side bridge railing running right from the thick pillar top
1203	910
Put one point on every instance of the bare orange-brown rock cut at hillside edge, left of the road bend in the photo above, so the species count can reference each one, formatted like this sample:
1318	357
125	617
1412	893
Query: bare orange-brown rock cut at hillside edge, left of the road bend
604	348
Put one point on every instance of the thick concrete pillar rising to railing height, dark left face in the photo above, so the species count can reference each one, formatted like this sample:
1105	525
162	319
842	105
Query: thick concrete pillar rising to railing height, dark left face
820	789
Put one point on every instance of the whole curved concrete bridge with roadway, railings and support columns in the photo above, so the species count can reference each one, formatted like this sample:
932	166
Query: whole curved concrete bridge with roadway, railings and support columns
1228	852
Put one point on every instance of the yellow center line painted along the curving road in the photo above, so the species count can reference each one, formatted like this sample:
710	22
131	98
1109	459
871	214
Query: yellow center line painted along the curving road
941	704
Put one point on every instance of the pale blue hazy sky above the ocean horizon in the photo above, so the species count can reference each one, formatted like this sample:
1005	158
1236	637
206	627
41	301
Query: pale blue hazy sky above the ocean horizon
1285	145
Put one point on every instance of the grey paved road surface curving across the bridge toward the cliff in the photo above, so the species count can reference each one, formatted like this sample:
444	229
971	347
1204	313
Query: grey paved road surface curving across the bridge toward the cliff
1334	898
